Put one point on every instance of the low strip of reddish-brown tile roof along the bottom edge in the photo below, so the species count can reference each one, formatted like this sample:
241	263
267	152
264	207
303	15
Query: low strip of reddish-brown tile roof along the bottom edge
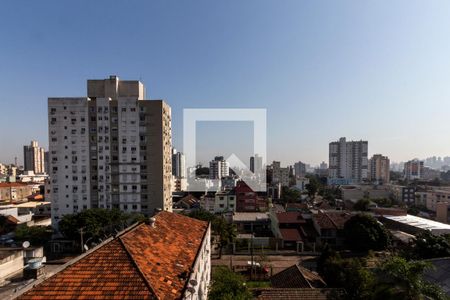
296	294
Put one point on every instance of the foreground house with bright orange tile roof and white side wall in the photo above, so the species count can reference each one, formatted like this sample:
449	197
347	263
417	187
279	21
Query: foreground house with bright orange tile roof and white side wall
167	257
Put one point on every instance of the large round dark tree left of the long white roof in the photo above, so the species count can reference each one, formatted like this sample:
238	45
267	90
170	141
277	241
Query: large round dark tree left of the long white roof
363	233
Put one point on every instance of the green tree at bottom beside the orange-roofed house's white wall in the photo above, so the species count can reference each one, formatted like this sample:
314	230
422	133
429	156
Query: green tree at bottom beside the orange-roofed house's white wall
227	285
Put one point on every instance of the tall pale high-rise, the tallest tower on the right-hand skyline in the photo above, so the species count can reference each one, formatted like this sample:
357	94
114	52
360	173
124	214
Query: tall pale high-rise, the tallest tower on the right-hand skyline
348	160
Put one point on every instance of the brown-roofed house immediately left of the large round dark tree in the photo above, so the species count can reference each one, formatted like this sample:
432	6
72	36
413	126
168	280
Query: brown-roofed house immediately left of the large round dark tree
330	225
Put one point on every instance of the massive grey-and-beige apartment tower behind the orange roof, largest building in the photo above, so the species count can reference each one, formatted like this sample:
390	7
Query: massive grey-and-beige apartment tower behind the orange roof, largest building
111	149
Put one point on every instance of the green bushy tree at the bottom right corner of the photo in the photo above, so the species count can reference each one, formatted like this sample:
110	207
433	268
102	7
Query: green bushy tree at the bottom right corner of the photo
402	279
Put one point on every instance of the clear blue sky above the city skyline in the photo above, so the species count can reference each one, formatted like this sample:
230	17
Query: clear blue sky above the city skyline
373	70
